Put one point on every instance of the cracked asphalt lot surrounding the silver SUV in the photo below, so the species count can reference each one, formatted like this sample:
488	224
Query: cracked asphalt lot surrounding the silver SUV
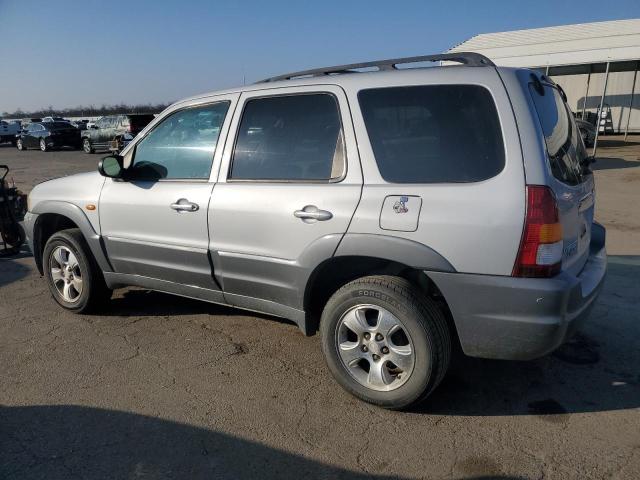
160	387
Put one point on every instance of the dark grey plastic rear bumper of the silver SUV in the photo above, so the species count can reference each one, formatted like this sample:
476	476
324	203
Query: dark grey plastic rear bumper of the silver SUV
522	318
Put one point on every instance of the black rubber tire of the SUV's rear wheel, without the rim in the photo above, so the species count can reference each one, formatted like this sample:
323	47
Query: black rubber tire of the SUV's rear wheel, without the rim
421	318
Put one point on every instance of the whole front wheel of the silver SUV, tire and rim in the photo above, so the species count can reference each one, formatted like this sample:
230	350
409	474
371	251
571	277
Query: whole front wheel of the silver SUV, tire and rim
73	276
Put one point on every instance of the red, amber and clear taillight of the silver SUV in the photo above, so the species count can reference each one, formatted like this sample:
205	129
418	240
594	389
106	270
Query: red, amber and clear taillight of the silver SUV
540	253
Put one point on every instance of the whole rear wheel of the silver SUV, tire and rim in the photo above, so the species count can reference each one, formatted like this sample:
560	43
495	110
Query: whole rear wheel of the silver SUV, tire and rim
384	341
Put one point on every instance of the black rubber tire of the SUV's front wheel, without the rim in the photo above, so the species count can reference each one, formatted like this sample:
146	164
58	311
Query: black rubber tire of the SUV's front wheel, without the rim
94	290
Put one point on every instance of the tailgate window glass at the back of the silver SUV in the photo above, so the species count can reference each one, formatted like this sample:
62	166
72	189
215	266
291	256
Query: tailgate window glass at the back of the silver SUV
564	145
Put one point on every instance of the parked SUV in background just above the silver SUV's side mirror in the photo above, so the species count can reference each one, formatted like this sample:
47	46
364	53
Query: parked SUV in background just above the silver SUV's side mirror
113	132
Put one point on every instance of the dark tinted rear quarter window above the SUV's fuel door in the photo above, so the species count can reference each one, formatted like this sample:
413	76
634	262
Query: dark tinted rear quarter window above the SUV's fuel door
434	133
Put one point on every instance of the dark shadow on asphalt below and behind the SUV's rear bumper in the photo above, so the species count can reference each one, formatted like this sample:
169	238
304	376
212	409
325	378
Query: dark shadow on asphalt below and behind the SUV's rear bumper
597	370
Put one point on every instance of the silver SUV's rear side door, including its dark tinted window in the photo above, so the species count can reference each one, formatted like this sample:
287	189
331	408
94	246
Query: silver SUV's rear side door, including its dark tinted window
289	183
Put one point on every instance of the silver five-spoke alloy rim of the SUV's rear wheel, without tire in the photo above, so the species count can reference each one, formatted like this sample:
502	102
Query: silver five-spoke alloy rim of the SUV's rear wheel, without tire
375	347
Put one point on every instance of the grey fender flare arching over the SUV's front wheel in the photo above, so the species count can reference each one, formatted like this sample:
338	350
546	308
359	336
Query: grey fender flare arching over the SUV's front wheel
77	216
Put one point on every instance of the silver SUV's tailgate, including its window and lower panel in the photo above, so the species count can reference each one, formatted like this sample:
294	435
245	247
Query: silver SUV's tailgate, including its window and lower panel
573	188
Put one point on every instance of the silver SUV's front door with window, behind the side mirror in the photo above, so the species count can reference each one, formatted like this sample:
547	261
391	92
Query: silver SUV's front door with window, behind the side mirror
154	222
